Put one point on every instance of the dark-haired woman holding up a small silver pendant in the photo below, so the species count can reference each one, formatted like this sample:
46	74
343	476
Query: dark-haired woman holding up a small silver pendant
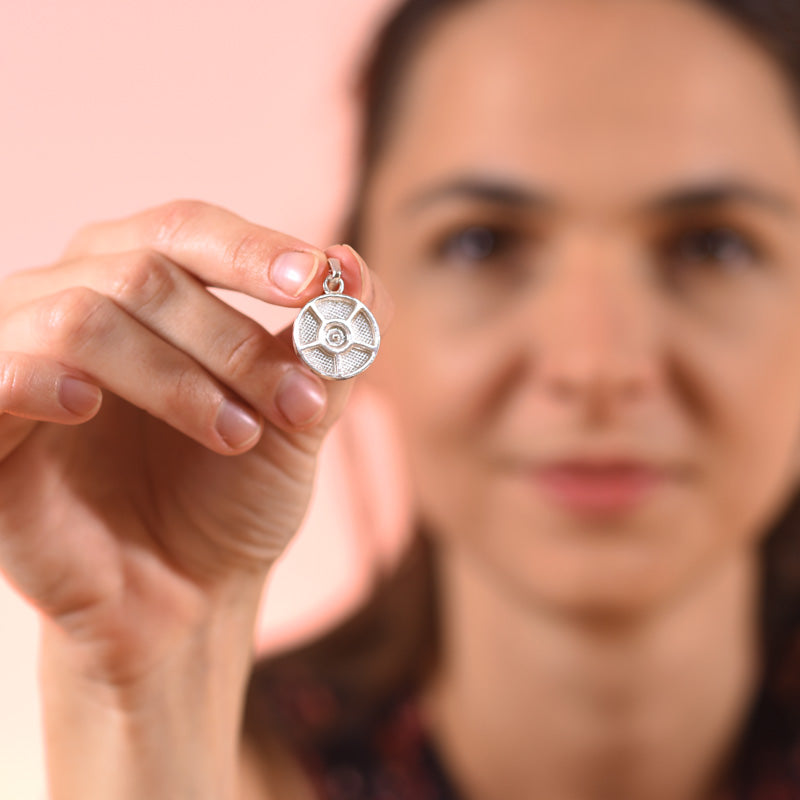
587	217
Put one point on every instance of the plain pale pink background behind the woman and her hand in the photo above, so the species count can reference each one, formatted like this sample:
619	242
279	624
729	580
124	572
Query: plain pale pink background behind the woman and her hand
108	108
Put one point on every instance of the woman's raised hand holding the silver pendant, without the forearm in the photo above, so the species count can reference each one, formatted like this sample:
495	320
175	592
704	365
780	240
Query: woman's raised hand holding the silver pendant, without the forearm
157	447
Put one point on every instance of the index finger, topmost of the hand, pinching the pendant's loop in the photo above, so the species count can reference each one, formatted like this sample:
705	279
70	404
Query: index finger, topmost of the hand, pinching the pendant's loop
219	248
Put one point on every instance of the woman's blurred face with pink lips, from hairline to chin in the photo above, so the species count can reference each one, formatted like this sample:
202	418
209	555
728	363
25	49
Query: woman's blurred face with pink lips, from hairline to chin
588	215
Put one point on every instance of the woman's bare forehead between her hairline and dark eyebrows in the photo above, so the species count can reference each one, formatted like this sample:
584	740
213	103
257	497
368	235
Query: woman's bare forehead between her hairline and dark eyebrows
593	93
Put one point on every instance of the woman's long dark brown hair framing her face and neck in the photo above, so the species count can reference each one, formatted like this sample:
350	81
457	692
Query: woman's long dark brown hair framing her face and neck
389	646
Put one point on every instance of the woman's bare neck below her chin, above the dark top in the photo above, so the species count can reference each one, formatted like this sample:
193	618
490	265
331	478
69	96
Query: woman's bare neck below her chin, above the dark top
528	704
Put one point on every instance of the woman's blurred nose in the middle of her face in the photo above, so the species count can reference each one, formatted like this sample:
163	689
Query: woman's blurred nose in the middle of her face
598	338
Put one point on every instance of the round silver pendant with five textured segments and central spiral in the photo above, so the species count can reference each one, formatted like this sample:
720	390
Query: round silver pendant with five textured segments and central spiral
335	334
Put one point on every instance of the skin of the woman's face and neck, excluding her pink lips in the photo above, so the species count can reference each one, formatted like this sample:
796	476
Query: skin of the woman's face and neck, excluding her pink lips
596	324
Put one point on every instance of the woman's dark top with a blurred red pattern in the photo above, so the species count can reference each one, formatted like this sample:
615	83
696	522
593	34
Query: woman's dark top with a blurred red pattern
395	759
